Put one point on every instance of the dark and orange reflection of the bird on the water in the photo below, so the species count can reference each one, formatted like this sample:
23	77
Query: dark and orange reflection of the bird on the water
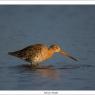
44	71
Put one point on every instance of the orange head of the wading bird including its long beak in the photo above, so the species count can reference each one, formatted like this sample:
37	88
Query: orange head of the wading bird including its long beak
56	48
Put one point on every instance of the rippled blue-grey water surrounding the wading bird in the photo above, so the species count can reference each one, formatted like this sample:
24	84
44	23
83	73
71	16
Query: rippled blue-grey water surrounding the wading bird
72	27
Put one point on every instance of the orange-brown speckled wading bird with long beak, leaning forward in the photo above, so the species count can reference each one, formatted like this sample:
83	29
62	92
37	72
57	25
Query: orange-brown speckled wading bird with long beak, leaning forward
38	53
